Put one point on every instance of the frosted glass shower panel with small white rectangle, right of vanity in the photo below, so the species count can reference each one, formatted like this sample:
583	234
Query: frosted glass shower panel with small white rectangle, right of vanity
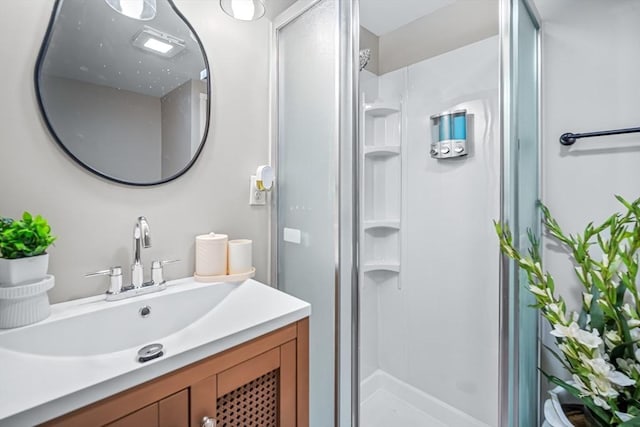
307	185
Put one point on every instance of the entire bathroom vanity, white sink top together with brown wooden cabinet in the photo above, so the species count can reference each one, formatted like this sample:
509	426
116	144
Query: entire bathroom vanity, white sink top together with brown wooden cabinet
235	354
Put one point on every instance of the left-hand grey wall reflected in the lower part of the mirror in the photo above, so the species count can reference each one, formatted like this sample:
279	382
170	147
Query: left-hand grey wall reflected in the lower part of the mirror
77	110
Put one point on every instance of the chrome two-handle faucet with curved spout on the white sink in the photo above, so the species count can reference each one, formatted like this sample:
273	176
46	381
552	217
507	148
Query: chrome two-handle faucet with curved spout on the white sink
141	239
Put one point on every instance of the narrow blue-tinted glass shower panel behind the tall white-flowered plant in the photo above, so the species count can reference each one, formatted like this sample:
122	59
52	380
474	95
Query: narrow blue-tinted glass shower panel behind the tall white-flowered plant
522	212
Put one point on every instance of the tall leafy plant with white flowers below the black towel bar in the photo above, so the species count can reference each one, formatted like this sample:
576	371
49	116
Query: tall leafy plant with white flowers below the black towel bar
597	345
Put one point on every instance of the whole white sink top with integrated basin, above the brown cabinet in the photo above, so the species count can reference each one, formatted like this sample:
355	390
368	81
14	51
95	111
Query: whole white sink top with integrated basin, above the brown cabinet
87	349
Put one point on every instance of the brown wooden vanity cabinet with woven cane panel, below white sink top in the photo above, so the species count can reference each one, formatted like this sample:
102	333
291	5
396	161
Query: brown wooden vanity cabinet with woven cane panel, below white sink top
264	382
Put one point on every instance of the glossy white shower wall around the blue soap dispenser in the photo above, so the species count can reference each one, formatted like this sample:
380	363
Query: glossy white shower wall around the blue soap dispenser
437	328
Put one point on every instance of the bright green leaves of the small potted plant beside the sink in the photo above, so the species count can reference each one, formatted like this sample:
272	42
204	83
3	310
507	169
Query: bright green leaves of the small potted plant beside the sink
26	237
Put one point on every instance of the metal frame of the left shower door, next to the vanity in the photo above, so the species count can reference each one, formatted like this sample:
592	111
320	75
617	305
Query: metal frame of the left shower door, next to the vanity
346	215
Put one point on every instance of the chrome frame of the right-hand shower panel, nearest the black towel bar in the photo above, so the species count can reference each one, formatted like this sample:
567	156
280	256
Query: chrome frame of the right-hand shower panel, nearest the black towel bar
509	309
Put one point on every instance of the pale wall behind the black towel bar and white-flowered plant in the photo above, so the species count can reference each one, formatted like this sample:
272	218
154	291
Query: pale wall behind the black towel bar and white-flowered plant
590	83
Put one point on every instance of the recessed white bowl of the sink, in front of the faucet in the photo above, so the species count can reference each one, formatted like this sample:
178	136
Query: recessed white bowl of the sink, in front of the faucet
115	326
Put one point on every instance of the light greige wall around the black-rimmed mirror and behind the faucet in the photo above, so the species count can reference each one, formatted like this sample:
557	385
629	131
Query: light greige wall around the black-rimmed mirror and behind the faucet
94	218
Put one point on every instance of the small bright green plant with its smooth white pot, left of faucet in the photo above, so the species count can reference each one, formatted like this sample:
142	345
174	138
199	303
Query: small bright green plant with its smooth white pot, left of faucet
23	246
